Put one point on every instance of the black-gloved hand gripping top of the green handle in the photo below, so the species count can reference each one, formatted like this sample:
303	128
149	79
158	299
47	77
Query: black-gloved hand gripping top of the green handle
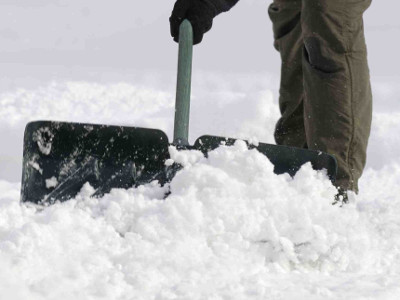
200	13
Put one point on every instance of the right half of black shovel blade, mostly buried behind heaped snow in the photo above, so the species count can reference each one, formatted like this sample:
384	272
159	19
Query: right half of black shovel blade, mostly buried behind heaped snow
285	159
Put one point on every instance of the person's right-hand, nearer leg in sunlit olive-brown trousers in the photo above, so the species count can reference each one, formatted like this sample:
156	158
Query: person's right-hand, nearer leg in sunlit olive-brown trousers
338	101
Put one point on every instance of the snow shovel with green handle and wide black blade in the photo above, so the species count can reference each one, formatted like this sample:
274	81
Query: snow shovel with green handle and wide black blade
60	157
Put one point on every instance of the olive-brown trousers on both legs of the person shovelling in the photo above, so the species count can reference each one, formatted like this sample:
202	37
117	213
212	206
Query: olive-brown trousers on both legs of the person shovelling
325	93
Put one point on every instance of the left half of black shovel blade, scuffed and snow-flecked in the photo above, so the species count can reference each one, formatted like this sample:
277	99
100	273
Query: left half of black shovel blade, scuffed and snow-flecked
59	158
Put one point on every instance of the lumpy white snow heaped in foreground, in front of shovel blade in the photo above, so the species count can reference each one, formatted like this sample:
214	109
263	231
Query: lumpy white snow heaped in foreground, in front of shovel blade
230	229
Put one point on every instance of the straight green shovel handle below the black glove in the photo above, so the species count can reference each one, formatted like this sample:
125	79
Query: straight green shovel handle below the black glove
183	87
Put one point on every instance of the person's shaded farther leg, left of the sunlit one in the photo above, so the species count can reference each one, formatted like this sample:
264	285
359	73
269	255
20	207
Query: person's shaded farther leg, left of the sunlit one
285	17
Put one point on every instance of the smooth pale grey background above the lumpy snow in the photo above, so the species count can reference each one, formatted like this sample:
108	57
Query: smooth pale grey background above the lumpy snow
72	39
